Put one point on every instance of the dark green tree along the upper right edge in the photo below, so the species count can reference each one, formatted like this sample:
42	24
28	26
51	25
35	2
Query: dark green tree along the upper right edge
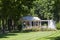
57	10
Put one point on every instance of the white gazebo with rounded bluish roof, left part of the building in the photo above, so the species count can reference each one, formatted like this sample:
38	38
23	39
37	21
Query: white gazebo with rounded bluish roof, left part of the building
30	21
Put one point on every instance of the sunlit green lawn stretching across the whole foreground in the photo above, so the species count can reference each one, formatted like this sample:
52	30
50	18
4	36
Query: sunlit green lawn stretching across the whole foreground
42	35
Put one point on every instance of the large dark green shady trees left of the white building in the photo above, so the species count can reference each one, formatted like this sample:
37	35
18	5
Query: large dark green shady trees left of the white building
14	9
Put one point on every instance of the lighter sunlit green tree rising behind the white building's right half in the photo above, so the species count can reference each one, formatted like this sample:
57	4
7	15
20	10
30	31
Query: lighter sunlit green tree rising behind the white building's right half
44	8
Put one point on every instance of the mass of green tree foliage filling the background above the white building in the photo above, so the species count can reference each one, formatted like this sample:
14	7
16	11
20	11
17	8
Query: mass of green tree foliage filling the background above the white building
15	9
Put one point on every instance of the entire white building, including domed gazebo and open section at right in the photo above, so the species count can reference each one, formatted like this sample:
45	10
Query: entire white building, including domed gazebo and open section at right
30	21
